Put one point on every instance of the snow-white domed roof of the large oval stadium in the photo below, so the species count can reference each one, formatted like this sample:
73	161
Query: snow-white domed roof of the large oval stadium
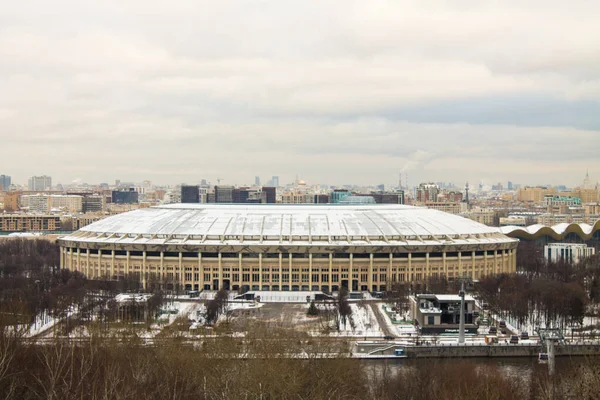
220	224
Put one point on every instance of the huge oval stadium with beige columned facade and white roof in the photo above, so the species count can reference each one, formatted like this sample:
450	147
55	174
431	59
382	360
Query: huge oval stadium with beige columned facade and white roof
286	247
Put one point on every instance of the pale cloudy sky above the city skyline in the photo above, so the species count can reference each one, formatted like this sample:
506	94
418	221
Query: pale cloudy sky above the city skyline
337	92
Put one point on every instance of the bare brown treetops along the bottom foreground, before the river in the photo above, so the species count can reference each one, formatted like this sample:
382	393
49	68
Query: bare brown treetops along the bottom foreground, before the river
214	370
